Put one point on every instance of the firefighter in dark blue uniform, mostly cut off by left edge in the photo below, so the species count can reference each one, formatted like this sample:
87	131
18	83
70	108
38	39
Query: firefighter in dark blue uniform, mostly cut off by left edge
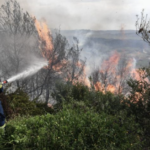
2	116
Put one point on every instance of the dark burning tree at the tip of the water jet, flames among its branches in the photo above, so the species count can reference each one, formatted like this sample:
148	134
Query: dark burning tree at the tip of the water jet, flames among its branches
63	61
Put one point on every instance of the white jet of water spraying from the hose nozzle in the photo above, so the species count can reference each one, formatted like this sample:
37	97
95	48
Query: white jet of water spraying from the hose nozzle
35	67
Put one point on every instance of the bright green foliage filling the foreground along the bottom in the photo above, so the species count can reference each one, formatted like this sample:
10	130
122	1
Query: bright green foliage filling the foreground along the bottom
72	129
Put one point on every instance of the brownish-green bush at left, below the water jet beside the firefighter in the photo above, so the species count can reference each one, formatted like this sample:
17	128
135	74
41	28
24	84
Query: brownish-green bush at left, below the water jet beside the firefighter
20	104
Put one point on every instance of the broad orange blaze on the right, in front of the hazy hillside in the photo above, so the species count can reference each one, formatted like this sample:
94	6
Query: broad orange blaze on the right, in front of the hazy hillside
112	77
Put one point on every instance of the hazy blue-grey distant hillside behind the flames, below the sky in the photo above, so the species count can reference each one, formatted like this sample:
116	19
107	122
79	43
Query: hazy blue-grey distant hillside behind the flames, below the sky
100	43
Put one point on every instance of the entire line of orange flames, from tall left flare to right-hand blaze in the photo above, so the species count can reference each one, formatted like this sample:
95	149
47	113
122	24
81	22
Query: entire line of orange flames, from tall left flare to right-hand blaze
110	77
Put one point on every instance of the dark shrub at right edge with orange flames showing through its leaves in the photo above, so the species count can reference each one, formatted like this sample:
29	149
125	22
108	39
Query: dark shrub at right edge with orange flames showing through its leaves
139	102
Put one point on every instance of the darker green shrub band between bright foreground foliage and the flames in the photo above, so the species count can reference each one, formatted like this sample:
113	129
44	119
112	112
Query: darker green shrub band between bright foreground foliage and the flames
113	104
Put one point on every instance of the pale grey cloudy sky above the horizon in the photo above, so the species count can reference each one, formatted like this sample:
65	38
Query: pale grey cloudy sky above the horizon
87	14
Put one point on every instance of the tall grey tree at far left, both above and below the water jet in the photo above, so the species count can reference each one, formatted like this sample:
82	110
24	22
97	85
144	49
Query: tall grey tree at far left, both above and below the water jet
19	46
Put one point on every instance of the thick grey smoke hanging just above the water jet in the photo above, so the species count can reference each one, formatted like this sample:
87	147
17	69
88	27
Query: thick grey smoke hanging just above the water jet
17	56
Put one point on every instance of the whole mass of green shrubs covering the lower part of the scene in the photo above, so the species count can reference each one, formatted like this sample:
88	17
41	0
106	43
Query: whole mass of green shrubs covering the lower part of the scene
83	119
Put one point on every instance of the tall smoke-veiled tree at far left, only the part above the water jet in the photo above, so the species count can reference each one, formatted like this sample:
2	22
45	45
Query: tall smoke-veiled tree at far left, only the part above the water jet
18	41
